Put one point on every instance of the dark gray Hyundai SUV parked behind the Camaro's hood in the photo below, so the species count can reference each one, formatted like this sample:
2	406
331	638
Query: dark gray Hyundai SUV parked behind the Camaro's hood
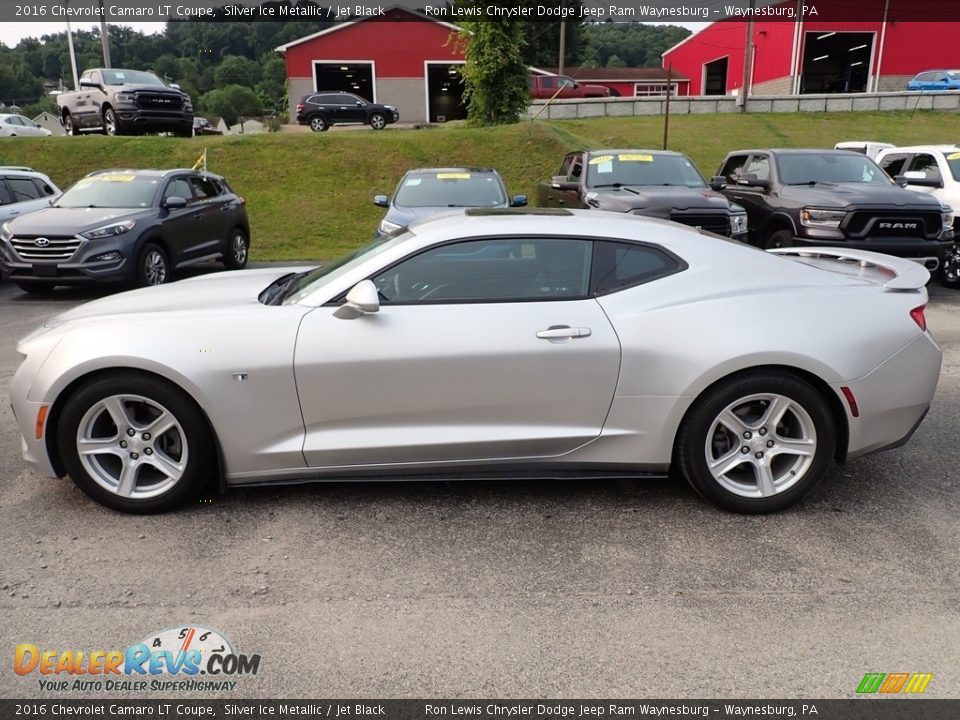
130	226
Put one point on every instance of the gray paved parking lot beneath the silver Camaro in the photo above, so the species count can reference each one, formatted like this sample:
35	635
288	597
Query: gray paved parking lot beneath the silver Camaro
619	589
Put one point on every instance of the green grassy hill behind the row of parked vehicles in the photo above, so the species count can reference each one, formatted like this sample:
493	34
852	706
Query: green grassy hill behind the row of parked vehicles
309	196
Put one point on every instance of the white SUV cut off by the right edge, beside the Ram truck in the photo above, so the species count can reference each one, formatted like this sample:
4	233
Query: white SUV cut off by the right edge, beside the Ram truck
935	170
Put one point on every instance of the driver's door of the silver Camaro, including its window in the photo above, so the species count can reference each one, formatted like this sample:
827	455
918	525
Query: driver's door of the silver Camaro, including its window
487	349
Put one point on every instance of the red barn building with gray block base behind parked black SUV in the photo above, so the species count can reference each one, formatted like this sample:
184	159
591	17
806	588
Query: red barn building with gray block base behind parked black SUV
406	59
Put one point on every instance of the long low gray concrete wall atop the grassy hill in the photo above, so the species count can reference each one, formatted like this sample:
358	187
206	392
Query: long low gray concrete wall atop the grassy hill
715	104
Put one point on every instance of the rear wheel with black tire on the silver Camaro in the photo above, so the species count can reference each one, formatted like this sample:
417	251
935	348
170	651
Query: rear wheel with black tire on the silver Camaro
791	475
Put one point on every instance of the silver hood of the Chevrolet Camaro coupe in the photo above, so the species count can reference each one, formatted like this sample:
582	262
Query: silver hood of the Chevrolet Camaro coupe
216	291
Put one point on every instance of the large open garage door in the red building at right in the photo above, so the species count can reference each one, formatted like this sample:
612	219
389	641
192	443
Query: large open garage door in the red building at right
836	62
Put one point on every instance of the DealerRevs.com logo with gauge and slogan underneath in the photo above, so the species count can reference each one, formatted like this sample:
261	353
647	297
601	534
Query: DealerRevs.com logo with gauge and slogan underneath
188	658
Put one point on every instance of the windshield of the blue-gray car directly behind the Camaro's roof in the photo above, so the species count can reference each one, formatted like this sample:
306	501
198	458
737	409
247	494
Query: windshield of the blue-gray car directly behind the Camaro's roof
451	189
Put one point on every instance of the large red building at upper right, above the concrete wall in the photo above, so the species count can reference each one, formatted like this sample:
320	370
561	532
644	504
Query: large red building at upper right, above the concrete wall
849	46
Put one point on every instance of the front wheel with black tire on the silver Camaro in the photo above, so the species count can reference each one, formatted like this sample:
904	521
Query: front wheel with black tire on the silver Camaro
186	450
